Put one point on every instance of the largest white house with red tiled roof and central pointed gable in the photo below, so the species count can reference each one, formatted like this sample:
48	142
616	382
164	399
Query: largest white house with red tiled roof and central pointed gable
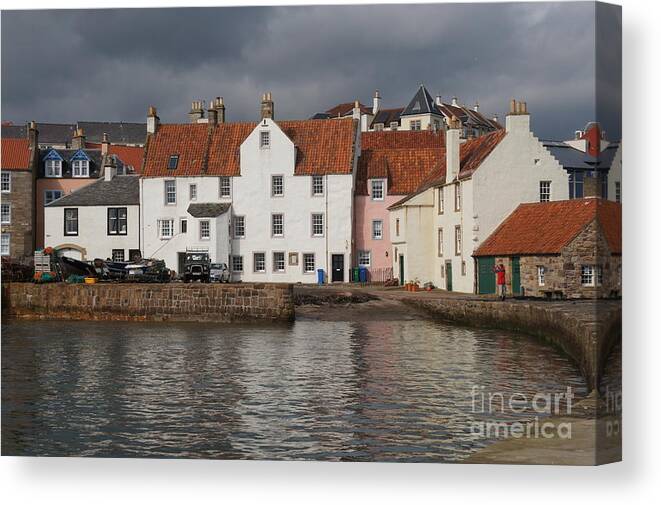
287	189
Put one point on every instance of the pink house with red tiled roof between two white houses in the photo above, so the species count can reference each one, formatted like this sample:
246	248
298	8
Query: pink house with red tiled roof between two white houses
392	164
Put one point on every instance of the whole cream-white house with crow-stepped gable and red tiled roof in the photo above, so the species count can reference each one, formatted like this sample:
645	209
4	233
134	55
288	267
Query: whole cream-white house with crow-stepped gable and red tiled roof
437	228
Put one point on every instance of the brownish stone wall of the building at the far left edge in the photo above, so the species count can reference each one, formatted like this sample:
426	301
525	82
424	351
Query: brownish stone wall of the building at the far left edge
21	227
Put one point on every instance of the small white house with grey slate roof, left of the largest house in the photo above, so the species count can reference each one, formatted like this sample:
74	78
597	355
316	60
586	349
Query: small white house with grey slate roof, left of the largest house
100	220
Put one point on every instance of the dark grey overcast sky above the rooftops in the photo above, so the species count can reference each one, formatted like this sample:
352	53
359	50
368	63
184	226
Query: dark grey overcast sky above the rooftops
63	66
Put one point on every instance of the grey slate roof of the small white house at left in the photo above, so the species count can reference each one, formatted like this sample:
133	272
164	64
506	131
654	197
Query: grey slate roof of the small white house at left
121	190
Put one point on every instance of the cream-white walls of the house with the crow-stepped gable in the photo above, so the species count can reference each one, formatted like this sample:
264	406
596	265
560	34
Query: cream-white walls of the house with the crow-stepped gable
509	176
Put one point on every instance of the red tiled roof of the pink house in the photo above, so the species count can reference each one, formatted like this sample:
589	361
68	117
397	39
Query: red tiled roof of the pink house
405	169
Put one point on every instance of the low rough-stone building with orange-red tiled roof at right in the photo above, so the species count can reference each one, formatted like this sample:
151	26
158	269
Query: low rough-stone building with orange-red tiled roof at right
563	249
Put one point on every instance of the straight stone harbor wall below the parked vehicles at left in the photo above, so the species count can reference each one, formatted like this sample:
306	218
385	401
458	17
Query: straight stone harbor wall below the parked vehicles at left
149	302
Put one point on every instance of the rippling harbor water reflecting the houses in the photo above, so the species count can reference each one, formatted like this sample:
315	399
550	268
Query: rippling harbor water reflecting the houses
375	391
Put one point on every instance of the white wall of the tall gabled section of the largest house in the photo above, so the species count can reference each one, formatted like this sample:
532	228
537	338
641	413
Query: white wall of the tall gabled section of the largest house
252	199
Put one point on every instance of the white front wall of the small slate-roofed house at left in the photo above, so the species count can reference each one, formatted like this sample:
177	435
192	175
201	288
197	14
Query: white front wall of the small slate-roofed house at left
92	231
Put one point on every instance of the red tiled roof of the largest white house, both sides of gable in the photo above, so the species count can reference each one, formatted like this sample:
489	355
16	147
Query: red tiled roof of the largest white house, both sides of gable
322	147
